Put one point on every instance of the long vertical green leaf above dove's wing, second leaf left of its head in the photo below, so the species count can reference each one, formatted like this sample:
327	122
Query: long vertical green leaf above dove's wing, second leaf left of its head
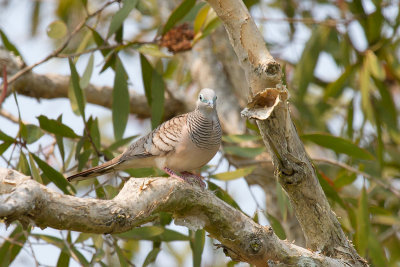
120	104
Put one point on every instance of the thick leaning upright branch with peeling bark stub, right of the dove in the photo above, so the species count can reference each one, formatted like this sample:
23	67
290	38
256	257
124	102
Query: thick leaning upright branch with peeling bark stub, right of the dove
269	106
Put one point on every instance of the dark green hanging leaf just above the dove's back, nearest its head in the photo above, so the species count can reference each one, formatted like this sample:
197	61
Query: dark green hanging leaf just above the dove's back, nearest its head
154	90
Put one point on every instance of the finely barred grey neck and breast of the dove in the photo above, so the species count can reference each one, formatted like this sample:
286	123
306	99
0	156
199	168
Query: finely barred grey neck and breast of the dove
204	133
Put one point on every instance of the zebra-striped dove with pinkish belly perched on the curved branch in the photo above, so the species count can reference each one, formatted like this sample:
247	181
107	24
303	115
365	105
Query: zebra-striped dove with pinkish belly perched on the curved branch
182	144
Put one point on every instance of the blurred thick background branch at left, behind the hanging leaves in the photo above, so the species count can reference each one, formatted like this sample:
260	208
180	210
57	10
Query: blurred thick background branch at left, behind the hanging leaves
56	86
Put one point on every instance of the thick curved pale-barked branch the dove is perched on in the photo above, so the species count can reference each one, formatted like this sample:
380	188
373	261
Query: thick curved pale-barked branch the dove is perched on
23	199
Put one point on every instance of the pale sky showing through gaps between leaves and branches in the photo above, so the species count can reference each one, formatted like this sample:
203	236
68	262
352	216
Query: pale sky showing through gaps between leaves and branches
15	21
